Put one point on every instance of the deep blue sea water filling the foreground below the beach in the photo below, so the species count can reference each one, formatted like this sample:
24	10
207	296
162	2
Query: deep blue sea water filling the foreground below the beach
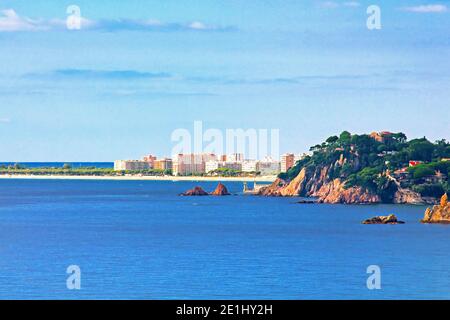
139	239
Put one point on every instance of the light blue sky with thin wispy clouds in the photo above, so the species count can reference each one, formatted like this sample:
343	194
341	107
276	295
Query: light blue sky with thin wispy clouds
136	71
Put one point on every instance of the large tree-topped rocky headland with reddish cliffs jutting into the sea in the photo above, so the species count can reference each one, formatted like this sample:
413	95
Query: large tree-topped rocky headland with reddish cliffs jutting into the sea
367	169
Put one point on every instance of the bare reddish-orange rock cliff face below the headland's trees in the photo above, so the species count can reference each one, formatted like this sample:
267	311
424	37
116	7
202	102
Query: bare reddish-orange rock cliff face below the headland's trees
317	184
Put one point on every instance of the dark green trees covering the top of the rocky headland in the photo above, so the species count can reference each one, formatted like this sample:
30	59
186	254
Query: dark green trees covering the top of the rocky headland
374	162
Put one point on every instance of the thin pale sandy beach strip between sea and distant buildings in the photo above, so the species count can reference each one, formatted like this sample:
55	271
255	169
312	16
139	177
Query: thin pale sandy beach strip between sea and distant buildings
268	179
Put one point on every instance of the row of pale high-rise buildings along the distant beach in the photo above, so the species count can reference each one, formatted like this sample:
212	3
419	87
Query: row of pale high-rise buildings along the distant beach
210	164
